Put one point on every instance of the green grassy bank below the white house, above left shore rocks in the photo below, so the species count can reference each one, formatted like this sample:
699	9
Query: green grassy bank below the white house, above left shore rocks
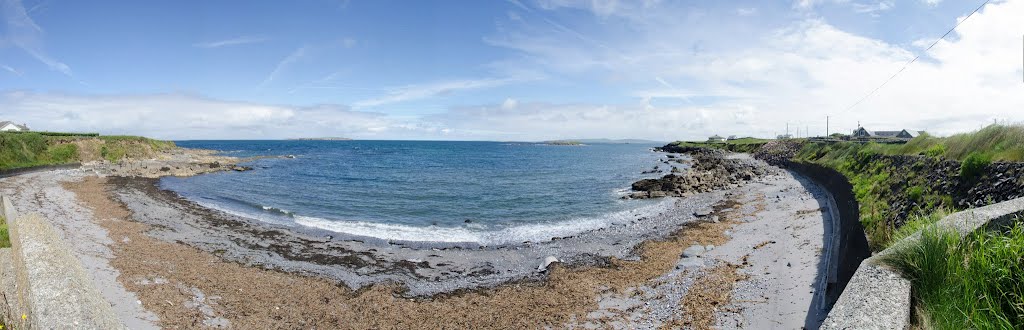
19	150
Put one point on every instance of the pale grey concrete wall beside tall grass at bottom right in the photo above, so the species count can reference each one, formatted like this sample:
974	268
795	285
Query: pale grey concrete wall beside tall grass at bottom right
879	298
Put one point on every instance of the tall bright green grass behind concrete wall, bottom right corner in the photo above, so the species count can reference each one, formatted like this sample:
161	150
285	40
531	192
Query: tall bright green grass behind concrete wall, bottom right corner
976	282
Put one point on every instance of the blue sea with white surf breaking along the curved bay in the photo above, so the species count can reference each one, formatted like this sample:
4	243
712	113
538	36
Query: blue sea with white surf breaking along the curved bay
459	192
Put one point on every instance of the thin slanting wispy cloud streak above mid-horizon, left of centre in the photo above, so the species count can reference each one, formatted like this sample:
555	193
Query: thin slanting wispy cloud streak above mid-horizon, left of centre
412	93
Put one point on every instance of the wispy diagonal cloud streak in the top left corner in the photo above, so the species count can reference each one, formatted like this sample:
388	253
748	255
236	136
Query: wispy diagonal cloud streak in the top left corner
24	33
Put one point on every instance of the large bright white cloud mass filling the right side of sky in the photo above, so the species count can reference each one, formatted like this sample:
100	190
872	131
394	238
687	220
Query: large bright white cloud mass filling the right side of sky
795	75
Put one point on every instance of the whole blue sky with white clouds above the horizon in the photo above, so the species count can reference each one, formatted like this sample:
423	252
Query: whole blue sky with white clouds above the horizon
517	70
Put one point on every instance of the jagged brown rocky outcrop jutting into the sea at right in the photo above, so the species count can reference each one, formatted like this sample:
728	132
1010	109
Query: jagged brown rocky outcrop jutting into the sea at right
712	171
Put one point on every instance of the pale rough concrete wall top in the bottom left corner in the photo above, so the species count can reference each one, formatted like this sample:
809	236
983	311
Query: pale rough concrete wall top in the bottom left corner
51	287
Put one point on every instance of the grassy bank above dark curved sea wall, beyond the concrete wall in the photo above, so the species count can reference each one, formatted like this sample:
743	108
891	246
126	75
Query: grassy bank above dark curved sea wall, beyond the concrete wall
901	194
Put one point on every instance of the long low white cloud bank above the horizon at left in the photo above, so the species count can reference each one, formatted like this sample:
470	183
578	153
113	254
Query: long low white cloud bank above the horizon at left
191	117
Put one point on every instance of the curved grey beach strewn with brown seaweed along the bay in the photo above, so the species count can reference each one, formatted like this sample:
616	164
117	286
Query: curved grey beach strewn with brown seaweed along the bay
164	262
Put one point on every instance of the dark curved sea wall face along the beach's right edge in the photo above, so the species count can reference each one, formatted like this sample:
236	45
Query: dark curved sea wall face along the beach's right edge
849	246
